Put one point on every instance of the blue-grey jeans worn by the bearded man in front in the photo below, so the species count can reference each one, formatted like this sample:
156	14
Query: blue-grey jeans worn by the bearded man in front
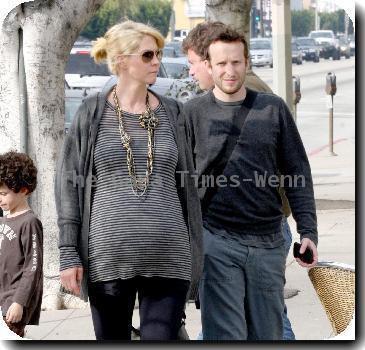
241	291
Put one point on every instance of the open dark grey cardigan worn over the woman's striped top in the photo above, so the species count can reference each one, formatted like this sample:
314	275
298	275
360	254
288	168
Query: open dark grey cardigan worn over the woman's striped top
74	178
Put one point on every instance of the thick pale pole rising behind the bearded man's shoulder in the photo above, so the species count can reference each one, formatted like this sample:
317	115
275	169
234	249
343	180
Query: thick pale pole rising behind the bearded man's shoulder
281	43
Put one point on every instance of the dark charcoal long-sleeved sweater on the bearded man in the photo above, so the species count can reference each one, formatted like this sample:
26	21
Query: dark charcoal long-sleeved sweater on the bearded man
246	200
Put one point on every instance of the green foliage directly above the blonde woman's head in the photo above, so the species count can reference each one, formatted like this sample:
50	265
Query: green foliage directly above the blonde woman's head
153	12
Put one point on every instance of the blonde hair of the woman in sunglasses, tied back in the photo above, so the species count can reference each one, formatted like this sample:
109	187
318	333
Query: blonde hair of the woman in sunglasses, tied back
122	38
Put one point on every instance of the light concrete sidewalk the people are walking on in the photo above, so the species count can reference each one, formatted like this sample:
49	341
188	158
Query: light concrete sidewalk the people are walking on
334	179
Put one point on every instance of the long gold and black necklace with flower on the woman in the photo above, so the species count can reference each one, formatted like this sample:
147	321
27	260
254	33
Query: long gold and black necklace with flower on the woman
149	121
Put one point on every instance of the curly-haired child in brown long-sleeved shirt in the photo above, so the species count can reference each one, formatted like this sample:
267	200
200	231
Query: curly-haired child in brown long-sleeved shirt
21	244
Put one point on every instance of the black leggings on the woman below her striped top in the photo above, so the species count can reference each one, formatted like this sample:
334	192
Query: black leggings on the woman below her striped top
161	307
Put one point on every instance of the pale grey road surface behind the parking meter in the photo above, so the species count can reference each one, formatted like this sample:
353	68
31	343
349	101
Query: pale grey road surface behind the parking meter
312	111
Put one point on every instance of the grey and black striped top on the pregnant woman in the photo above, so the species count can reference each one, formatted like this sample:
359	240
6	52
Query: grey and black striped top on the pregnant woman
131	236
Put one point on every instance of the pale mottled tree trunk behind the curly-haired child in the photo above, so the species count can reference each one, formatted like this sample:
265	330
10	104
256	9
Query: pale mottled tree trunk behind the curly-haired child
44	31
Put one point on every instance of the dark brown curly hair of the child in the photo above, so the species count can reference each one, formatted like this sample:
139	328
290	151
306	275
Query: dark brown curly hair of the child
17	171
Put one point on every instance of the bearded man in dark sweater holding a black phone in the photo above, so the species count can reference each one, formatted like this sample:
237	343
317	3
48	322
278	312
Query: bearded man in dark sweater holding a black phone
242	140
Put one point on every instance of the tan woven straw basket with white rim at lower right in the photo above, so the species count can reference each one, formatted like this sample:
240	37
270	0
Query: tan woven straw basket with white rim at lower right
335	286
